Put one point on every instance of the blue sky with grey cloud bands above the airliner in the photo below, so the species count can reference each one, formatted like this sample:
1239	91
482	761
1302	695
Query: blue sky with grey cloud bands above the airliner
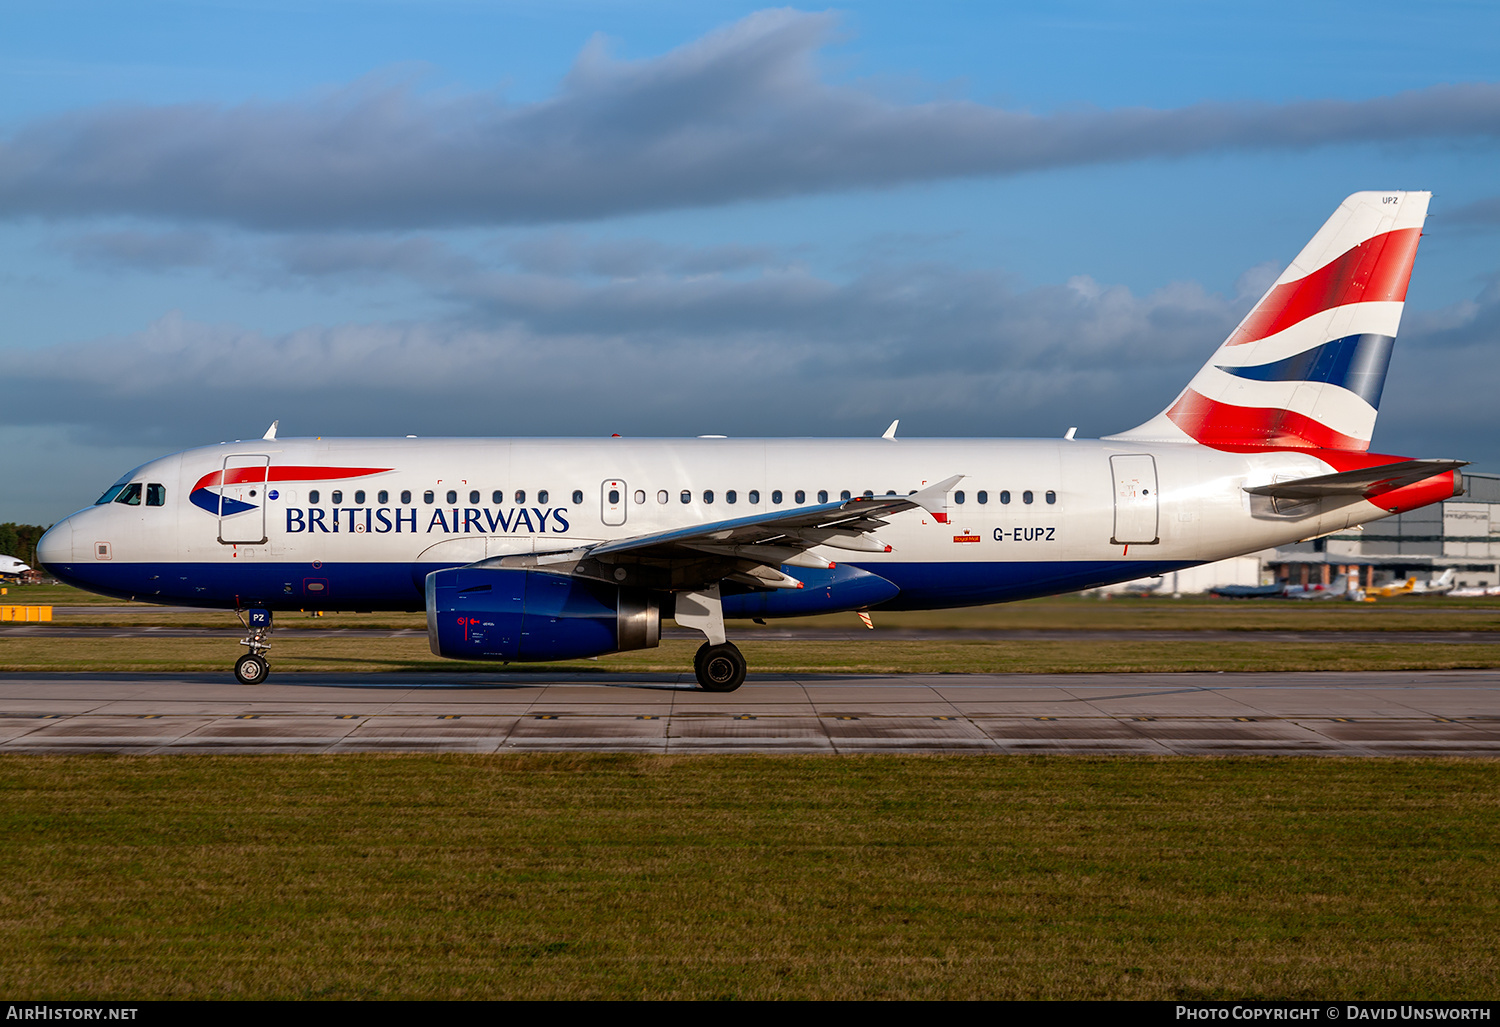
704	218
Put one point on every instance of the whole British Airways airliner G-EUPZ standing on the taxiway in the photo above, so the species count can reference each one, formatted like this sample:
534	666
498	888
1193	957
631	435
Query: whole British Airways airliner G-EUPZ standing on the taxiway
560	549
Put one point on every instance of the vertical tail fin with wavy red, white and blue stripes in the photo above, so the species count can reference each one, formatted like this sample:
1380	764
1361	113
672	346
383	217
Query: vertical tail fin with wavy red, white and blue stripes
1307	365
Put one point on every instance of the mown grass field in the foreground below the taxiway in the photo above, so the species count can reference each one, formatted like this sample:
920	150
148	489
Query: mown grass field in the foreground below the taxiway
748	878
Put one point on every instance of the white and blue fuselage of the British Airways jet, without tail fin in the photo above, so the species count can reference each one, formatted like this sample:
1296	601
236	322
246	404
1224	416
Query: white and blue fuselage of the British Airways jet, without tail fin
314	536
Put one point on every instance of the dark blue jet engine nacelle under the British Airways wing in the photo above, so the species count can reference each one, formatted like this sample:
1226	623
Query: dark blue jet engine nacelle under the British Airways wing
487	614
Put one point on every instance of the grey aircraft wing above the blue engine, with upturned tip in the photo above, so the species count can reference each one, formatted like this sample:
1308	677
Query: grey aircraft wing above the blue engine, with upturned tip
745	549
